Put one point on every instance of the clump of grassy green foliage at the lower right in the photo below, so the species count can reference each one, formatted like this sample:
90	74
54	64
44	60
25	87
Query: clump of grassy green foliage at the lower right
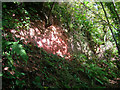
100	71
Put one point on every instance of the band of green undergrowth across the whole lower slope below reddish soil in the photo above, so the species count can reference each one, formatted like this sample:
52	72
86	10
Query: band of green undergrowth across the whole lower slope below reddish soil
53	71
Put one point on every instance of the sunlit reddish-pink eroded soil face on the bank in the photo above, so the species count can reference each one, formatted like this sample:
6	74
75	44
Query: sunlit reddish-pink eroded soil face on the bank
51	39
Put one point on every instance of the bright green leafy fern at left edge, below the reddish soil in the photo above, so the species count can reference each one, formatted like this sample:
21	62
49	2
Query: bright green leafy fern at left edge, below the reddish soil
17	49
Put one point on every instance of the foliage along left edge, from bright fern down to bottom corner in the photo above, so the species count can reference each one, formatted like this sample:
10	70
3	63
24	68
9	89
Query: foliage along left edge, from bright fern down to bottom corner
11	52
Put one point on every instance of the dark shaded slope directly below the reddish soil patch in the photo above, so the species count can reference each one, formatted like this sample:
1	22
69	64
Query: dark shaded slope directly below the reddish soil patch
44	70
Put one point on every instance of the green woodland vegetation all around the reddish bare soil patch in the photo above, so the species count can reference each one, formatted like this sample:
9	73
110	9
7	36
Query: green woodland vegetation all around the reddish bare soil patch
93	63
